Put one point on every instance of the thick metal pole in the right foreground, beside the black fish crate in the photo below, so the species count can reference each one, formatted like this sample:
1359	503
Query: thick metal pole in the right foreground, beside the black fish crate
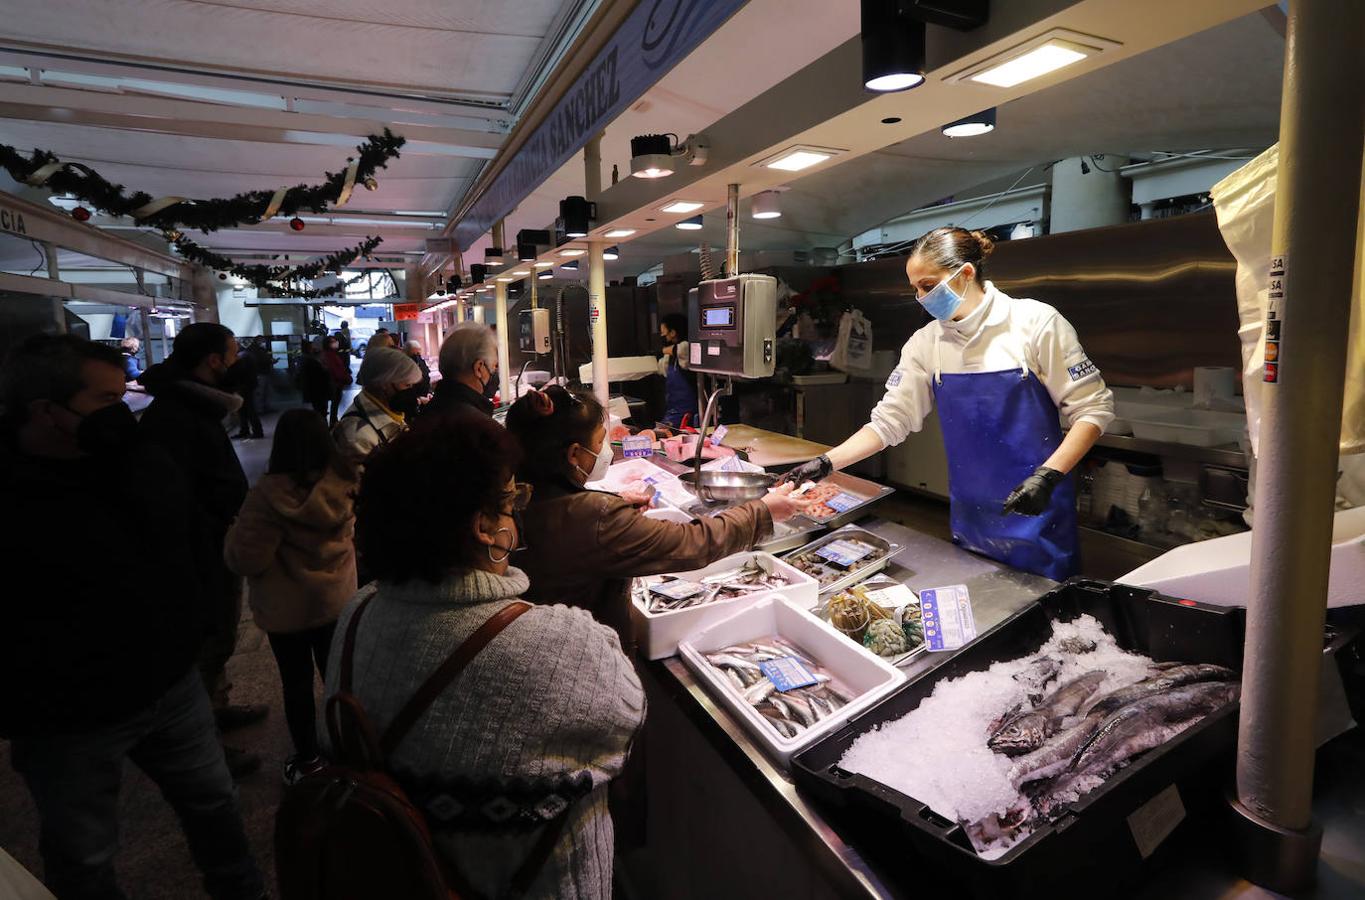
1314	251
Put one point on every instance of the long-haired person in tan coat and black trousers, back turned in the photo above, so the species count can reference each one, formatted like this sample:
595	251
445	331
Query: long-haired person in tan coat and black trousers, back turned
294	544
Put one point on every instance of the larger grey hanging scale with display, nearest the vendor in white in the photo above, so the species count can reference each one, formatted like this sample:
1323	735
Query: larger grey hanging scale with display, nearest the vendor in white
732	327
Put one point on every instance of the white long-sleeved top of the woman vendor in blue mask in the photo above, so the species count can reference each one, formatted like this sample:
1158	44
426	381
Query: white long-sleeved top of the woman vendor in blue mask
1001	334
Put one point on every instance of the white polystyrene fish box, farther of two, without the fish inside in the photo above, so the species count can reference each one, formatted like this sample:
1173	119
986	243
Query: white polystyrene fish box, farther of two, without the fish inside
659	633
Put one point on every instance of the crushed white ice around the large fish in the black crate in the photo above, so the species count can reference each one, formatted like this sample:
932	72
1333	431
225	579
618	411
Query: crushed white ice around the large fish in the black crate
937	753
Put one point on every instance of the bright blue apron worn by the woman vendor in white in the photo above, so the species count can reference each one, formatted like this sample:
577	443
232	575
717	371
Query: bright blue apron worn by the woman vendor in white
998	427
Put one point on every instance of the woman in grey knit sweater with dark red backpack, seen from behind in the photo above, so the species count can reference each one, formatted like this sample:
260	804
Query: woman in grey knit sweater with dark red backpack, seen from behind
508	753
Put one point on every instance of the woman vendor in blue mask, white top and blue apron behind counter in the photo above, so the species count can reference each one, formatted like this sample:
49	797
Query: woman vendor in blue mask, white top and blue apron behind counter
1000	371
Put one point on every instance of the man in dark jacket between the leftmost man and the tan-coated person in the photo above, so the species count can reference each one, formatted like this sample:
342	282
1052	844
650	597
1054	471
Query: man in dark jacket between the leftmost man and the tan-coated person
186	421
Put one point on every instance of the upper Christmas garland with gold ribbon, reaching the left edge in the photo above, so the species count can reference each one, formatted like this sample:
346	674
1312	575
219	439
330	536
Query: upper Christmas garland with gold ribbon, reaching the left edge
249	208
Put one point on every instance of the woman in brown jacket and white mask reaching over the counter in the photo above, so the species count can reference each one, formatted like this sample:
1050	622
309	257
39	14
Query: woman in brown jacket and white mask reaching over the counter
585	547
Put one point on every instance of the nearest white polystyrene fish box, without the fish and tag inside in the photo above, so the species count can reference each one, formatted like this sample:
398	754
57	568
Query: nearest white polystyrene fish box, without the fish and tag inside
866	678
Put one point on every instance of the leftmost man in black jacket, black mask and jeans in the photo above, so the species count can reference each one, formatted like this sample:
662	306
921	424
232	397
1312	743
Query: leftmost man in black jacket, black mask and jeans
98	653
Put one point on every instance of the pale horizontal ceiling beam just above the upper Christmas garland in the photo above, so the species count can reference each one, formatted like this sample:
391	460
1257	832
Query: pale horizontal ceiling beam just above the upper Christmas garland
226	124
